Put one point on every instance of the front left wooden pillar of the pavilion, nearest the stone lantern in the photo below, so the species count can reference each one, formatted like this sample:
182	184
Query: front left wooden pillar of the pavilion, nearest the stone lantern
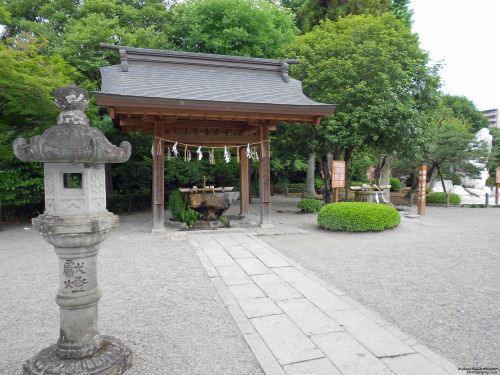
158	178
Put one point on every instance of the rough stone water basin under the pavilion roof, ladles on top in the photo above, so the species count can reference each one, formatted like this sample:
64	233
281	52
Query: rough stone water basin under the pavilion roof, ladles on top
211	202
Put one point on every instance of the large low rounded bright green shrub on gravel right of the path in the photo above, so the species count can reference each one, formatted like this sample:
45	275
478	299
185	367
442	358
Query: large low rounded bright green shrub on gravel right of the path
358	216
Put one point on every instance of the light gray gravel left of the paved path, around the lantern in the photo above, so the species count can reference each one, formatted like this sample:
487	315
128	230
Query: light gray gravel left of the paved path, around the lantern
157	299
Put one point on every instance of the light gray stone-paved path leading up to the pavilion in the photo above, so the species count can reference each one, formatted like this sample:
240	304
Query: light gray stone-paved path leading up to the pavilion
295	323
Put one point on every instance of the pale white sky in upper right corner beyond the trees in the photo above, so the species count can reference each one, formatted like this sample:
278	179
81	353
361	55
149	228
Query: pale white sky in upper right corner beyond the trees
465	36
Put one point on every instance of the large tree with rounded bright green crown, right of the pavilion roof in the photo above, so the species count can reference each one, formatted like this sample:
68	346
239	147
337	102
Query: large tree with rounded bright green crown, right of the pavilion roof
373	68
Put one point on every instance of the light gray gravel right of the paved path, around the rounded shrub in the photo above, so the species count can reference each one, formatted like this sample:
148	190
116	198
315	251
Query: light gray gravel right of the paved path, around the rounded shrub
436	278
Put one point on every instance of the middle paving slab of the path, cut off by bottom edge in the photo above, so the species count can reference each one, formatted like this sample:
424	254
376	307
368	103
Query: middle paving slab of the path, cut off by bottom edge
348	355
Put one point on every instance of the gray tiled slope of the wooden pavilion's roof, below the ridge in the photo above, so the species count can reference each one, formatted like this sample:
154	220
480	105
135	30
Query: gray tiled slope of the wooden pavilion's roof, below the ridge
178	82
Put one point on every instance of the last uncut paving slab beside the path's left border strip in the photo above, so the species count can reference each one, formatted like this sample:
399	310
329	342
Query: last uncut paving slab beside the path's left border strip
285	340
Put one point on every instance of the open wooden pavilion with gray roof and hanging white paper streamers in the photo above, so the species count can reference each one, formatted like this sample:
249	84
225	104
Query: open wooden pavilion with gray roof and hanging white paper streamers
204	100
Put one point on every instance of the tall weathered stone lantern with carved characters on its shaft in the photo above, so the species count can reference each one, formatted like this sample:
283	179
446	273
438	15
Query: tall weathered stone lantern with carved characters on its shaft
75	222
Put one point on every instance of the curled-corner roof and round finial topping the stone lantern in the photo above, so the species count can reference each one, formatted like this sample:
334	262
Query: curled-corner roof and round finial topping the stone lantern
72	140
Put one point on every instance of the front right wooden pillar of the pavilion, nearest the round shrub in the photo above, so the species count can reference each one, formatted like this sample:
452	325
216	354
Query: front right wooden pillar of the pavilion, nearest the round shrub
265	177
